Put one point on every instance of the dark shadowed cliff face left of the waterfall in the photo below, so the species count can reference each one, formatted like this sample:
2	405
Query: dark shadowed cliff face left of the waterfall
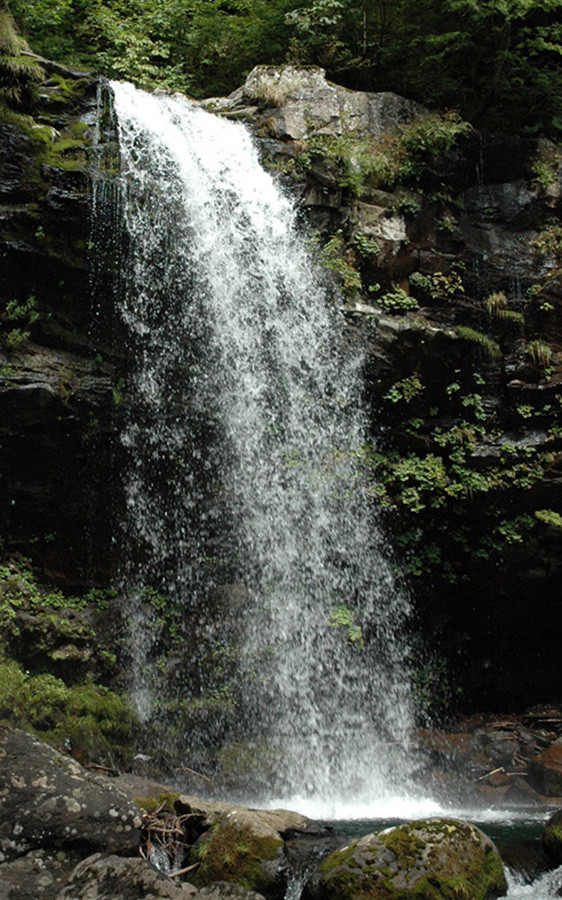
56	367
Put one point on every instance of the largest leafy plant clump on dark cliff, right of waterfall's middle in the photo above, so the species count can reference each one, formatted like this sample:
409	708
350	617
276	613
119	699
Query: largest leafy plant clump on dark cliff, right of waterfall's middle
447	499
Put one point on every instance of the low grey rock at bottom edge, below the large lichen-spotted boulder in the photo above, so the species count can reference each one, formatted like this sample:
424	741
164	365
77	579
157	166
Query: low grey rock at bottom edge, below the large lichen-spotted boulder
104	877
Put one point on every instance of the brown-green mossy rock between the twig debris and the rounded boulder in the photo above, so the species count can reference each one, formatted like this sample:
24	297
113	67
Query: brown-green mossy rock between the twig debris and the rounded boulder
240	849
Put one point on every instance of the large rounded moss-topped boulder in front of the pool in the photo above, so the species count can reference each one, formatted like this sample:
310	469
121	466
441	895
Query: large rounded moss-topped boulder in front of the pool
441	859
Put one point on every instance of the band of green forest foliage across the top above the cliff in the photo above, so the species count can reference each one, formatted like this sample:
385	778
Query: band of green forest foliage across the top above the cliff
497	62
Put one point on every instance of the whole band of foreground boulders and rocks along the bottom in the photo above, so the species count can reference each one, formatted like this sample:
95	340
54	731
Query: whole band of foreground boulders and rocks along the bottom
68	834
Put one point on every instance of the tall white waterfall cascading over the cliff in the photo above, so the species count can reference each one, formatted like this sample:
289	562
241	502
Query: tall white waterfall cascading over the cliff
245	506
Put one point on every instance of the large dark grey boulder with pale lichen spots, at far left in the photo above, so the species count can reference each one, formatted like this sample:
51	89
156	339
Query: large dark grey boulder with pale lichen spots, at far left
48	799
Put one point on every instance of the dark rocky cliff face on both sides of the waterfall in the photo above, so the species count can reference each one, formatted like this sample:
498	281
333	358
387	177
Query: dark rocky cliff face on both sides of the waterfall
447	247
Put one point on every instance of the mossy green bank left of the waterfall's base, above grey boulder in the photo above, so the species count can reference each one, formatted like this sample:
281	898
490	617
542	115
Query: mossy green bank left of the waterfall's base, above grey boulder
48	653
